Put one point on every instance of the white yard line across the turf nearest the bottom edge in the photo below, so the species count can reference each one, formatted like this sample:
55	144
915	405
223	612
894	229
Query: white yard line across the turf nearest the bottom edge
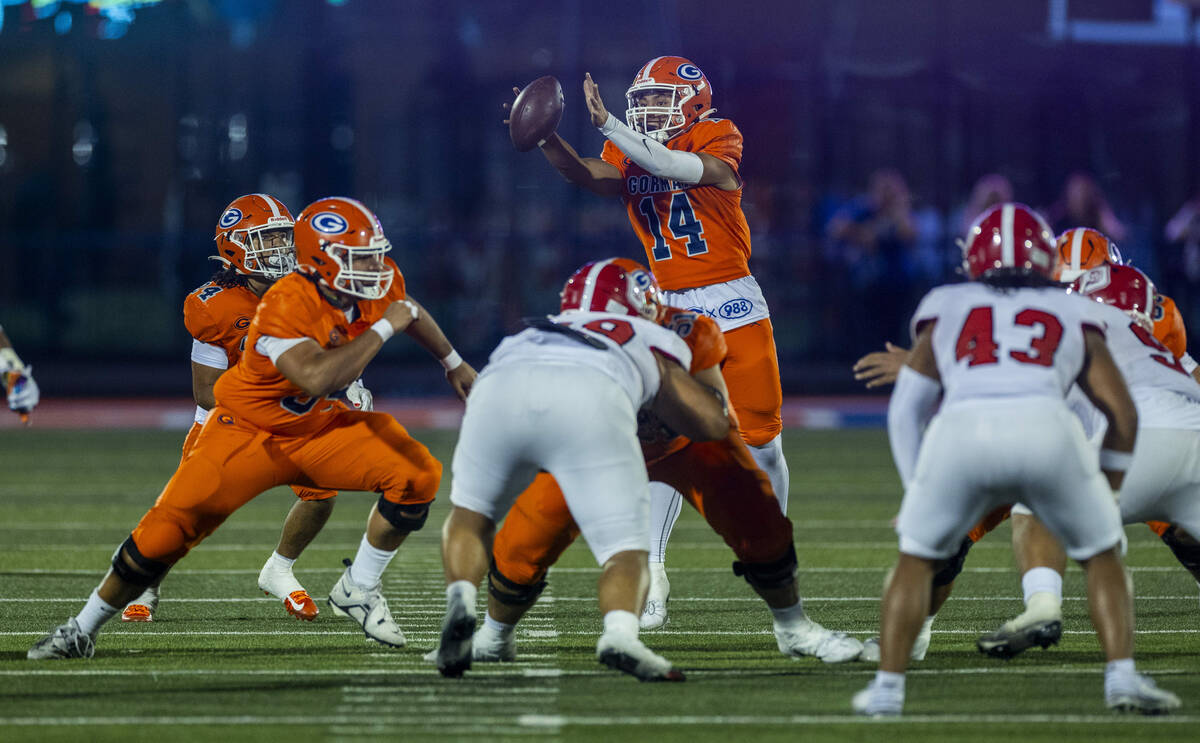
563	721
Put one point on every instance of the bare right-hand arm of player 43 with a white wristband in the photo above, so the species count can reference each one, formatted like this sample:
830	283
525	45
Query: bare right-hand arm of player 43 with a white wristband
1105	386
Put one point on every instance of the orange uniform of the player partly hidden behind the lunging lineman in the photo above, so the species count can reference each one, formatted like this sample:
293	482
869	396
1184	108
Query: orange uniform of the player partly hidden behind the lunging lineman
220	316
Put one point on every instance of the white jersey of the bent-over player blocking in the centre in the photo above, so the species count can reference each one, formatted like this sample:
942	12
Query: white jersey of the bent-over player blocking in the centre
626	353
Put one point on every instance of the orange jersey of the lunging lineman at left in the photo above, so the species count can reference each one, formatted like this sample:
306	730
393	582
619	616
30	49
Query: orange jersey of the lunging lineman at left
293	309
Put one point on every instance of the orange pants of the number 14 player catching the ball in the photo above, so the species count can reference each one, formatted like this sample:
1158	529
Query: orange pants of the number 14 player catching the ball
752	373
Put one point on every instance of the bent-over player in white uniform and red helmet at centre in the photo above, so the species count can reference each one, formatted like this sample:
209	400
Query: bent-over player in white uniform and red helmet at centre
563	398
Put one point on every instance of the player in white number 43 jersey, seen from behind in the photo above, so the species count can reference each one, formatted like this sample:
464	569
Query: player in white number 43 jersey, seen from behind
1001	352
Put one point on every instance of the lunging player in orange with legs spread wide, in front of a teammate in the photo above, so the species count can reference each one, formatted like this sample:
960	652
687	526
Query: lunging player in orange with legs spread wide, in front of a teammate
280	421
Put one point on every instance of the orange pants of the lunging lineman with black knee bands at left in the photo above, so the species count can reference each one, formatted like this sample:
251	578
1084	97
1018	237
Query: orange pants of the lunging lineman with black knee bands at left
231	463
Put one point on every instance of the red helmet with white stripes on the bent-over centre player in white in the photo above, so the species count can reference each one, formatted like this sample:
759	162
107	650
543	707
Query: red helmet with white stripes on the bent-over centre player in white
619	285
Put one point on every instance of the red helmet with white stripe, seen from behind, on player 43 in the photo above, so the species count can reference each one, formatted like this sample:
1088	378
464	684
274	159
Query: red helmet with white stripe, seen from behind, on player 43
1010	237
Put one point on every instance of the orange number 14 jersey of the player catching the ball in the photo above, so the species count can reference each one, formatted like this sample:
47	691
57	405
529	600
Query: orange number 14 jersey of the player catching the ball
694	236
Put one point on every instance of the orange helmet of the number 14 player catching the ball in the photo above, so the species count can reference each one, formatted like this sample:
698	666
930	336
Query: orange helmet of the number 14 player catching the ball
669	95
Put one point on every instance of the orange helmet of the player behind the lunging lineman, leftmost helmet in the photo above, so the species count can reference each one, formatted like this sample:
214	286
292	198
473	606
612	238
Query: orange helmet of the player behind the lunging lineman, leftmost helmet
255	237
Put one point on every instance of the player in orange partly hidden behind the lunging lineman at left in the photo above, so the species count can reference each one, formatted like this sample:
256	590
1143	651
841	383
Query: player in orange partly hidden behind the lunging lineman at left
254	248
